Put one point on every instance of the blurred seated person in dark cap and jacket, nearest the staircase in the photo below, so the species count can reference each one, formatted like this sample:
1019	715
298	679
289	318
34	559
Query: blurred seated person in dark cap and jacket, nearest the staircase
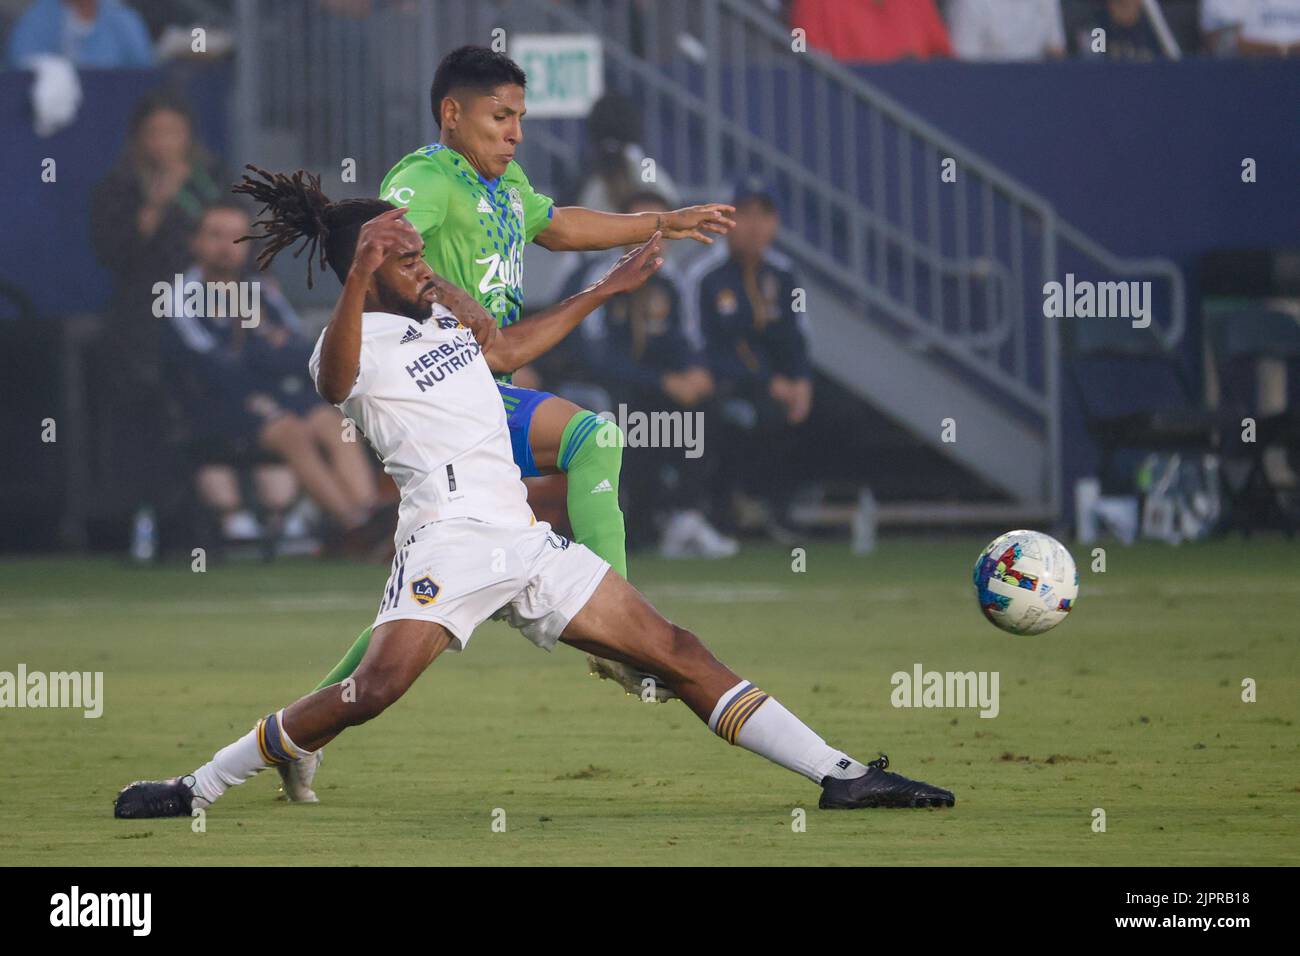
742	301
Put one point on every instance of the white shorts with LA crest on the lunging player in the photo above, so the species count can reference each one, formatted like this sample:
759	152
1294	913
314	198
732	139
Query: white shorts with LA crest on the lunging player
461	572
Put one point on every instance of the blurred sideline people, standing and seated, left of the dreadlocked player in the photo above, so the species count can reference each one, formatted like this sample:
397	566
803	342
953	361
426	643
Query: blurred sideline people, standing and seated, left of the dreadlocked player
205	387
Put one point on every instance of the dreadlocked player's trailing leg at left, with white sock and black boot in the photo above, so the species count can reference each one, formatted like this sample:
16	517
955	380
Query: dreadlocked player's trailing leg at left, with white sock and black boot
398	654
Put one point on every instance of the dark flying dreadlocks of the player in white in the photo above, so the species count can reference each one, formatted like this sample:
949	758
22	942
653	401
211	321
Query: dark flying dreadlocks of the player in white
300	210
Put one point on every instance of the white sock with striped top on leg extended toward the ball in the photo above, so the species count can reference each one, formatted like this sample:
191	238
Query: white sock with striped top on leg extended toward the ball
749	719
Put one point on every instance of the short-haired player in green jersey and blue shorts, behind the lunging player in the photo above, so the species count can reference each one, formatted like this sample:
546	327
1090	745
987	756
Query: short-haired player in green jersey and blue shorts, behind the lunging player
475	209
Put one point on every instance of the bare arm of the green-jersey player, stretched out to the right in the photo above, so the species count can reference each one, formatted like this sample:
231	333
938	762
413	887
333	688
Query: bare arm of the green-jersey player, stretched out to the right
578	228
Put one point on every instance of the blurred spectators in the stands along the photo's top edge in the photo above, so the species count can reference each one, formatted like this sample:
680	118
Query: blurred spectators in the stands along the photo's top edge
140	33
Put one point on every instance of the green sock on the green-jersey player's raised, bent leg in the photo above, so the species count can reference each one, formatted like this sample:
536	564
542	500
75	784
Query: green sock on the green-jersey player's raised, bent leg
592	457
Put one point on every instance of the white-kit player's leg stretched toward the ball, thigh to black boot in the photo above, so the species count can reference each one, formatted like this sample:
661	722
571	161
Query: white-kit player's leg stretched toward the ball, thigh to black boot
619	624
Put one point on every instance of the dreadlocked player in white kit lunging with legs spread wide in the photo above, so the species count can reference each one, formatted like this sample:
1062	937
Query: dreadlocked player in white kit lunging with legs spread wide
470	550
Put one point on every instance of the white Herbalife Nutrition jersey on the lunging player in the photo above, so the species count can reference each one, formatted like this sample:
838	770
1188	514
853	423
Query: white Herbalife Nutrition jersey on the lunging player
427	403
